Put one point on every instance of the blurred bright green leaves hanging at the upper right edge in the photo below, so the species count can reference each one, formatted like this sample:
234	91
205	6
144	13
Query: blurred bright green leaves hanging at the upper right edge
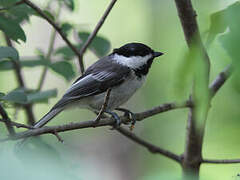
225	24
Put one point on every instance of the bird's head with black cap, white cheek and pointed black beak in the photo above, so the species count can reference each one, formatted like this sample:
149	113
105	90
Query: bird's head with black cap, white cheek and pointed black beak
136	56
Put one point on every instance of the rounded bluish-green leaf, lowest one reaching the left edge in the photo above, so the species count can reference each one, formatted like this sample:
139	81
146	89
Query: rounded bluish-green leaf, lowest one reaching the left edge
16	96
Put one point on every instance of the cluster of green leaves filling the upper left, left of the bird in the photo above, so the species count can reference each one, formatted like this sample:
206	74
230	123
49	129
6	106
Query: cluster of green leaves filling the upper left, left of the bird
13	14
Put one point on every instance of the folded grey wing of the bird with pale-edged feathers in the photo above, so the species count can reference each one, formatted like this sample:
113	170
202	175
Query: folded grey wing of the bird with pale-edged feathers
97	79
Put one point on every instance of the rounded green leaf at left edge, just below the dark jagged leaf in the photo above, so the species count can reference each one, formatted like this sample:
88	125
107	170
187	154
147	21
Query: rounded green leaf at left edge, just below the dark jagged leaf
8	52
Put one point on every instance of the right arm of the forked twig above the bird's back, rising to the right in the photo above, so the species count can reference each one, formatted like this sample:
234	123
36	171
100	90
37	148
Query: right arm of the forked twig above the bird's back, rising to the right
94	33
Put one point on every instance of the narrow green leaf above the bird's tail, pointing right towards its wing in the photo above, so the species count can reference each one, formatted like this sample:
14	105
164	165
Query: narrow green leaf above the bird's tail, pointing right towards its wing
41	96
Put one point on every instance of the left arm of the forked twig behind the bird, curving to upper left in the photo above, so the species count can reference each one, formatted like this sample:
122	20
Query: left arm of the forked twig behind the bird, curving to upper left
58	29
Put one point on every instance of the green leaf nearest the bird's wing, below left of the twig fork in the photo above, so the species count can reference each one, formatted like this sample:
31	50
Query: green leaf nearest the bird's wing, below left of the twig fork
63	68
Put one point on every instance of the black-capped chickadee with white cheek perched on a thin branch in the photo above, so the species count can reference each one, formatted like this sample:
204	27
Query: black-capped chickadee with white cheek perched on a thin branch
123	72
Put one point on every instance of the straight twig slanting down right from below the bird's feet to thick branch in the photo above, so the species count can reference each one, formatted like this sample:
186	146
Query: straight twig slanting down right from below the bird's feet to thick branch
152	148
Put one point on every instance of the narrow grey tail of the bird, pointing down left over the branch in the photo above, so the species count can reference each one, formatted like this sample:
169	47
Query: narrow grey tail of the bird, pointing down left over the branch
45	119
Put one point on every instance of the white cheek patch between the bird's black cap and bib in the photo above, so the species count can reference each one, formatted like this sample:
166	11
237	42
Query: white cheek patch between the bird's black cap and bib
132	62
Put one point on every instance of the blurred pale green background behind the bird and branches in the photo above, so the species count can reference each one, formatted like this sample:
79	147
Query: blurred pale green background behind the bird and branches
100	153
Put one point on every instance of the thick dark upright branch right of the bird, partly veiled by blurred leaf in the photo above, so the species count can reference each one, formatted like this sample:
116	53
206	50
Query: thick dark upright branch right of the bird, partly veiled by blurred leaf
195	131
